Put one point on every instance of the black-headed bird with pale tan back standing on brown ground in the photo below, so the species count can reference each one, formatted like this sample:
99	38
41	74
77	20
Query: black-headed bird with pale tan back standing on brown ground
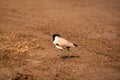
61	43
